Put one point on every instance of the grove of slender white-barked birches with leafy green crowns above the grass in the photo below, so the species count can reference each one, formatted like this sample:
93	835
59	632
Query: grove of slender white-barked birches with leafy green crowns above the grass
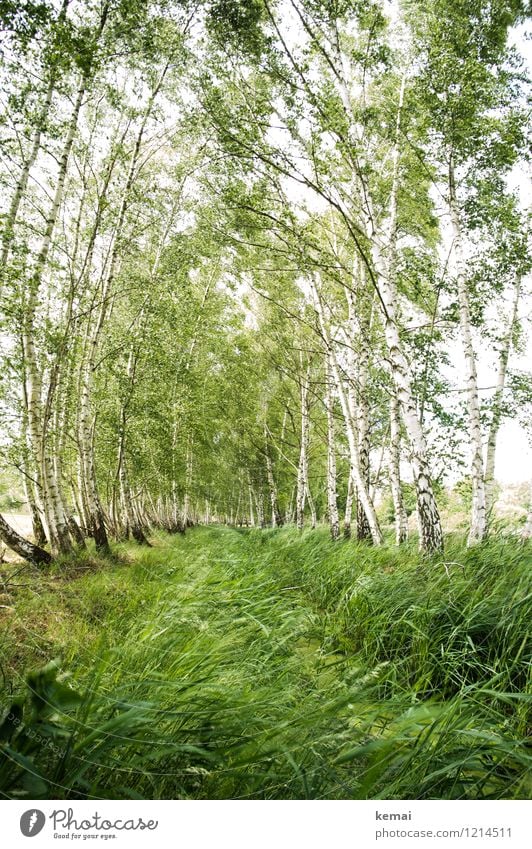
255	268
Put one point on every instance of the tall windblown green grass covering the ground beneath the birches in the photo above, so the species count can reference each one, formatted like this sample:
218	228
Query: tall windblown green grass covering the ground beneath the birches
266	664
